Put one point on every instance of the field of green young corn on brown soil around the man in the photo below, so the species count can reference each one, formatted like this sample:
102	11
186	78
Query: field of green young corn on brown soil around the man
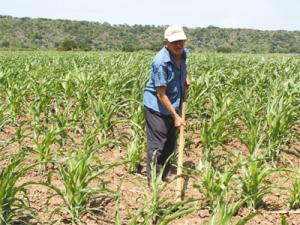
72	141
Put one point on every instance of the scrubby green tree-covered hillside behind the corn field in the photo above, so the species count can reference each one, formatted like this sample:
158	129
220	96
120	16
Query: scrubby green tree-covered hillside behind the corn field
27	33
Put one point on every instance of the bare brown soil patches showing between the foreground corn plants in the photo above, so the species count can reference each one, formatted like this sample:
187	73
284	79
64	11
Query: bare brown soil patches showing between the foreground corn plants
134	188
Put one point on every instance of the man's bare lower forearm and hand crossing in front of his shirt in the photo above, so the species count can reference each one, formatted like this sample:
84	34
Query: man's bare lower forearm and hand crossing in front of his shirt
163	98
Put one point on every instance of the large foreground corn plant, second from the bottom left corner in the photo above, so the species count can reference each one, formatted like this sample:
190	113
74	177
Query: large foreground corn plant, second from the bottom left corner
77	175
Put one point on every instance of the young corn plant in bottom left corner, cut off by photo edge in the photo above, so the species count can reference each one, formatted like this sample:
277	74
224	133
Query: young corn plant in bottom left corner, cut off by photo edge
14	208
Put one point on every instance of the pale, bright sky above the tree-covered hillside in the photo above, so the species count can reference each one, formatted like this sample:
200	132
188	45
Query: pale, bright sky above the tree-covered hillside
253	14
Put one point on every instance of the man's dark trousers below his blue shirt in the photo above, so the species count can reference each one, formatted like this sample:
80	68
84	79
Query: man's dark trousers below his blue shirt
161	140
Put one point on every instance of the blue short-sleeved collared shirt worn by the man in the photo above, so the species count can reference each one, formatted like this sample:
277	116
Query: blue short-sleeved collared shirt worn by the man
165	72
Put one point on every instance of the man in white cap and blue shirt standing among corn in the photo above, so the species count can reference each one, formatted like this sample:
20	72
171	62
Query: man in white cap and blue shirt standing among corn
163	96
